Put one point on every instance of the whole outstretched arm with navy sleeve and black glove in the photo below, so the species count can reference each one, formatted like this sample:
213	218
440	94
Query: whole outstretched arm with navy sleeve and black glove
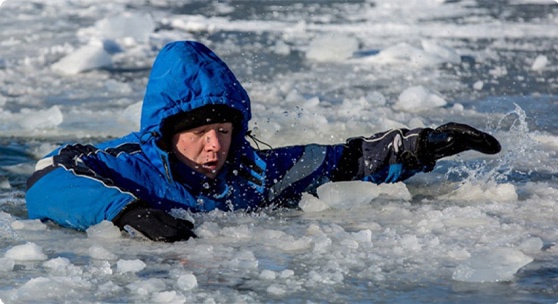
385	157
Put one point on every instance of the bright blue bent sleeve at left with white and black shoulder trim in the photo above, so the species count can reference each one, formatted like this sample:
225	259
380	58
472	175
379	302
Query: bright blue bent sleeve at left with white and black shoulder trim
65	190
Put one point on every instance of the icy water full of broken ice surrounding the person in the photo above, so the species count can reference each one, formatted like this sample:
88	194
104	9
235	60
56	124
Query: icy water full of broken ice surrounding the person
477	229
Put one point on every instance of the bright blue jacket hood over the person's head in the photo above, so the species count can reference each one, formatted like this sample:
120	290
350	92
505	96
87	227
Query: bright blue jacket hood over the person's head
185	76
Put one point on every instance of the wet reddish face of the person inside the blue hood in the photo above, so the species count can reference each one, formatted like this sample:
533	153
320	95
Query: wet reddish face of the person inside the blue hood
204	148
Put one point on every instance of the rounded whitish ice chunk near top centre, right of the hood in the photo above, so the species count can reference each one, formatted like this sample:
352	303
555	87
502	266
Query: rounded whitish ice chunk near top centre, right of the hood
332	47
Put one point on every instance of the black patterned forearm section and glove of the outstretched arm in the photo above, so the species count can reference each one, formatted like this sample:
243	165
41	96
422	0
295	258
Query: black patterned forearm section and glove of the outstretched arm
416	149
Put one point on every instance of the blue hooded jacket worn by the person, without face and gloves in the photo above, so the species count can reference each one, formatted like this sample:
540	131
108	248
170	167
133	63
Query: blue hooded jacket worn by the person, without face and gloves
80	185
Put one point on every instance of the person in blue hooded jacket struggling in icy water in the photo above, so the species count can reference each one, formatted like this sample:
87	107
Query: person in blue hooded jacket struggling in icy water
191	152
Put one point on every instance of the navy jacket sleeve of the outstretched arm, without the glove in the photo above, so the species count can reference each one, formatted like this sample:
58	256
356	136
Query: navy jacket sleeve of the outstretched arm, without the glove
385	157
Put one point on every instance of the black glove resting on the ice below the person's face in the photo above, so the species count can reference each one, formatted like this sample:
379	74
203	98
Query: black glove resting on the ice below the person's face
152	223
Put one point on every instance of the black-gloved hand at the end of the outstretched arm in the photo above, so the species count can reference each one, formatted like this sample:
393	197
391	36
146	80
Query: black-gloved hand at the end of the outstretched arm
453	138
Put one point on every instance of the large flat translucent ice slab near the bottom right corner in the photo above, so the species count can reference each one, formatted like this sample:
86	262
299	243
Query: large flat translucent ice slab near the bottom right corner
495	265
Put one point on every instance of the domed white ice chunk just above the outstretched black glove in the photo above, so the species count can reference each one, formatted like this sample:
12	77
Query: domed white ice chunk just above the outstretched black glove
417	99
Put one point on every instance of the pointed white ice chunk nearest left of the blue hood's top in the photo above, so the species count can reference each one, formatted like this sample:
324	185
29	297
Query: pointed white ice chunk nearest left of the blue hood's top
88	57
